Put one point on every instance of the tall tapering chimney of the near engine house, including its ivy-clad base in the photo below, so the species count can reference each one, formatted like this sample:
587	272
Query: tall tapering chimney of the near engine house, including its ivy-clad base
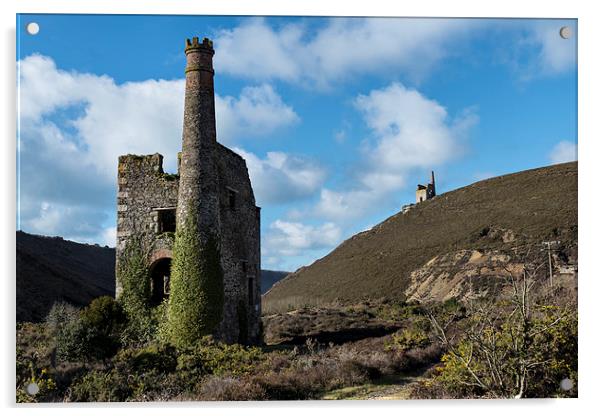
196	300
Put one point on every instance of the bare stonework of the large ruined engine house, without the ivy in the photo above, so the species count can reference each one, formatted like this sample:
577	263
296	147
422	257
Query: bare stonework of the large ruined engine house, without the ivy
213	185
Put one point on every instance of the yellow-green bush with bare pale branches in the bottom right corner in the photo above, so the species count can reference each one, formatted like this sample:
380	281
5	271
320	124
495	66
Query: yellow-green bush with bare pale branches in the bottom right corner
507	353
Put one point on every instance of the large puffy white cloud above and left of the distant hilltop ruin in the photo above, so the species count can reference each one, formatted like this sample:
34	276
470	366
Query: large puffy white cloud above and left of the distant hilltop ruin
410	132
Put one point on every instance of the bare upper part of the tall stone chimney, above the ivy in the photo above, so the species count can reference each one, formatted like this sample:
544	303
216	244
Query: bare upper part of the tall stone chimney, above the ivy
198	174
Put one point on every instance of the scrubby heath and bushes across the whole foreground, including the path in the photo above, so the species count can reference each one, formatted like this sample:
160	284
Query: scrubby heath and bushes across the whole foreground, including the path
513	347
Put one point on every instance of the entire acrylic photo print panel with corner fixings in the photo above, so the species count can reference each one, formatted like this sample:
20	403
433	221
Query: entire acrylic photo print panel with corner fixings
227	208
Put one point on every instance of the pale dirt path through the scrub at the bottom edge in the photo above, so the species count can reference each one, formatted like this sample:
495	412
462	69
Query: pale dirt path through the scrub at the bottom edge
396	387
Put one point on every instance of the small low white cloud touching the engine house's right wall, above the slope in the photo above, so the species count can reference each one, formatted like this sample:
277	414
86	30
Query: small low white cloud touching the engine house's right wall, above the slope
292	238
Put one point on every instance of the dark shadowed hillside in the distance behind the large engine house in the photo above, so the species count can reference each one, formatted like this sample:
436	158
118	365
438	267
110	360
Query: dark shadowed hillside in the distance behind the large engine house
51	269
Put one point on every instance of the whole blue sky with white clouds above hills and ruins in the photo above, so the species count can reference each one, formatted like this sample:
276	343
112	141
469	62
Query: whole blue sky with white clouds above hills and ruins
338	119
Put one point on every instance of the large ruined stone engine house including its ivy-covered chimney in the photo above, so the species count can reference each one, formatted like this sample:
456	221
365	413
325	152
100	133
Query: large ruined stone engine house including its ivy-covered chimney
203	220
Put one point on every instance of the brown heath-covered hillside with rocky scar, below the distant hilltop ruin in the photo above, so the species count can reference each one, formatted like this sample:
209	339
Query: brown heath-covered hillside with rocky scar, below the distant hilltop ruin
466	225
